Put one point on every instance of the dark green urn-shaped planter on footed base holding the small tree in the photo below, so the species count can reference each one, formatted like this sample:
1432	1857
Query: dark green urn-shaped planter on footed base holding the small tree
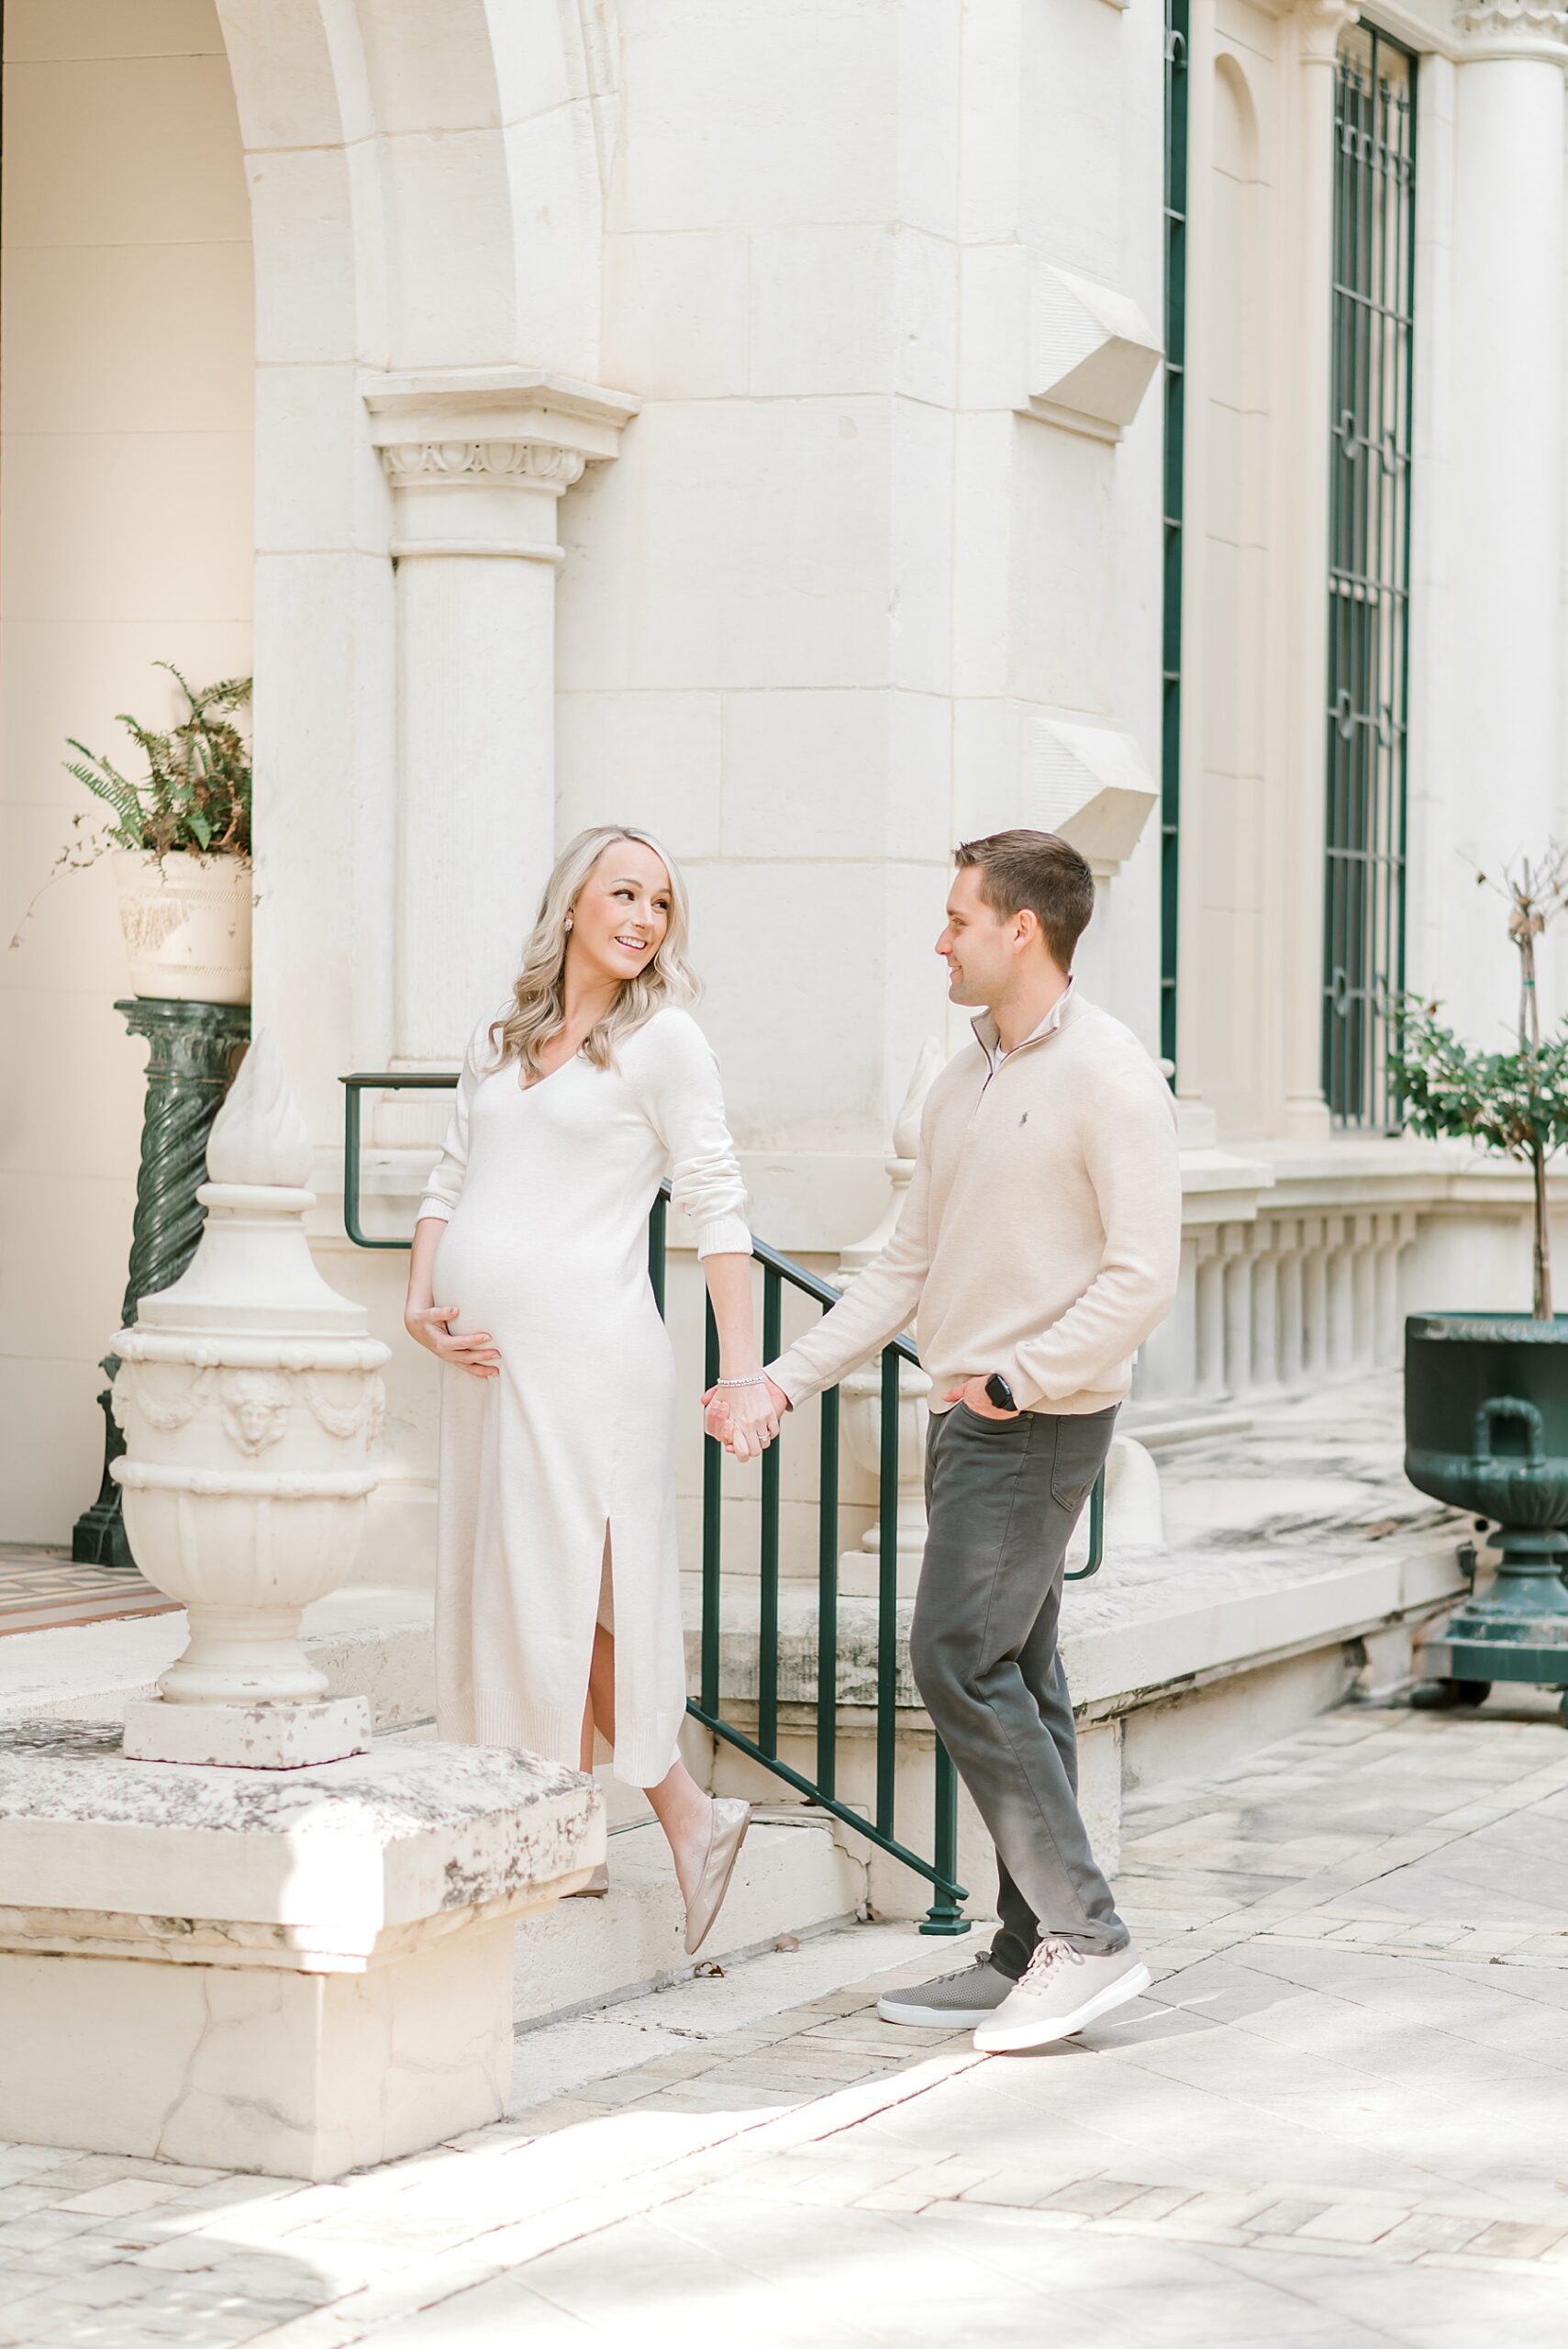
1487	1429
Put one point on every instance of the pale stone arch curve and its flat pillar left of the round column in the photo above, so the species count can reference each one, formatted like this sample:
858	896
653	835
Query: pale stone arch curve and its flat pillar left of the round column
426	203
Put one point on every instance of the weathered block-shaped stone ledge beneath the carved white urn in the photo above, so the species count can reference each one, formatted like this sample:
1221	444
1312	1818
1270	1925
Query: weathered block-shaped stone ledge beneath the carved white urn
295	1972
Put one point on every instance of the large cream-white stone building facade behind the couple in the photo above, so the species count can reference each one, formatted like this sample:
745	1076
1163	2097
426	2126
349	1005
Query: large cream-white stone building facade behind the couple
748	422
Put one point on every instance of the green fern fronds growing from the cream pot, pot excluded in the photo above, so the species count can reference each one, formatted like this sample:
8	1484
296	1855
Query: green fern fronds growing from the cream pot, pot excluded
198	786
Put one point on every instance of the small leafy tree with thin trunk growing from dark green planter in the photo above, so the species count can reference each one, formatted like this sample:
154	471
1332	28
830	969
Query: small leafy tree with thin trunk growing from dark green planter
1513	1103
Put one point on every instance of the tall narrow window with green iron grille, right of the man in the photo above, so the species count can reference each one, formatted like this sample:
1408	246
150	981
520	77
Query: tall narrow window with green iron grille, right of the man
1370	572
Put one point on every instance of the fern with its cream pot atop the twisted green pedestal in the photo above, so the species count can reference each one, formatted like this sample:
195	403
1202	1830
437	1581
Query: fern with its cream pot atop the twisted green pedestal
180	847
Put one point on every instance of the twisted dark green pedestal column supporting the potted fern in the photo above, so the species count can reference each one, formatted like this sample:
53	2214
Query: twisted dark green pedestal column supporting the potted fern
189	1072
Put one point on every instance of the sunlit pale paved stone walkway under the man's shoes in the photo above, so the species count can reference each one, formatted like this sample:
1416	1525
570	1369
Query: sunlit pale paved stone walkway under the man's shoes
1337	2120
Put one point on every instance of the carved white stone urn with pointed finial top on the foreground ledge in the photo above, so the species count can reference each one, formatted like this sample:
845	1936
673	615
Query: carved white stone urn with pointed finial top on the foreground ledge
250	1401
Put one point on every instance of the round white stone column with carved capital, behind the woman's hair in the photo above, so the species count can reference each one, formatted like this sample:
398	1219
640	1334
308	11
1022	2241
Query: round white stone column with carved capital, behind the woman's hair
478	469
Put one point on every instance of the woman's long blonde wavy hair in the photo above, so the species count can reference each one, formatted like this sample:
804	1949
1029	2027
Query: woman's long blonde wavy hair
539	995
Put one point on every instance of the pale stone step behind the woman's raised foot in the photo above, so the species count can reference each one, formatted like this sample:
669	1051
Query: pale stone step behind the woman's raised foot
792	1878
